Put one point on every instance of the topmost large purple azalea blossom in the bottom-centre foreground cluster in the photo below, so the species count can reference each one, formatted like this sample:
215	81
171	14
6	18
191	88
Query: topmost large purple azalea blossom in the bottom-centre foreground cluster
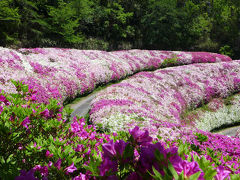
140	137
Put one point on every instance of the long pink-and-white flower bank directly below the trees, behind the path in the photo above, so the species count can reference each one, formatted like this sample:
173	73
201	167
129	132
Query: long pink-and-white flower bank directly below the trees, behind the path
66	73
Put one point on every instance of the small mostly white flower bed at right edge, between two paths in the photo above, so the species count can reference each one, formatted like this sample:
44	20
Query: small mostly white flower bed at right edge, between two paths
216	113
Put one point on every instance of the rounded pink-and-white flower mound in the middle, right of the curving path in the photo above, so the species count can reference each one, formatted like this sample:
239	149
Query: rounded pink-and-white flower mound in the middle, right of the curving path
148	98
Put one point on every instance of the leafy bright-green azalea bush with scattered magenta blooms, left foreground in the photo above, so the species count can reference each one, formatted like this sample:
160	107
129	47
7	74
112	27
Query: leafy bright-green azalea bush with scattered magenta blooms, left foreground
39	138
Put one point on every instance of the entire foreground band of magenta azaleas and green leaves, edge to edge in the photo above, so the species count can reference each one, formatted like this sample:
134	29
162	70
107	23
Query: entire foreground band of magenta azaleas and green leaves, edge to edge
39	142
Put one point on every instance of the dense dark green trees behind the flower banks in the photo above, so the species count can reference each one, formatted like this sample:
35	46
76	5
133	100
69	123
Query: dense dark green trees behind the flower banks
206	25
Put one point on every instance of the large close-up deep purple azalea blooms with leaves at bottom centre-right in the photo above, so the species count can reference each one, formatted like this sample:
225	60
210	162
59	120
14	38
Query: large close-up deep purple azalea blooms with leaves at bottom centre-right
140	158
